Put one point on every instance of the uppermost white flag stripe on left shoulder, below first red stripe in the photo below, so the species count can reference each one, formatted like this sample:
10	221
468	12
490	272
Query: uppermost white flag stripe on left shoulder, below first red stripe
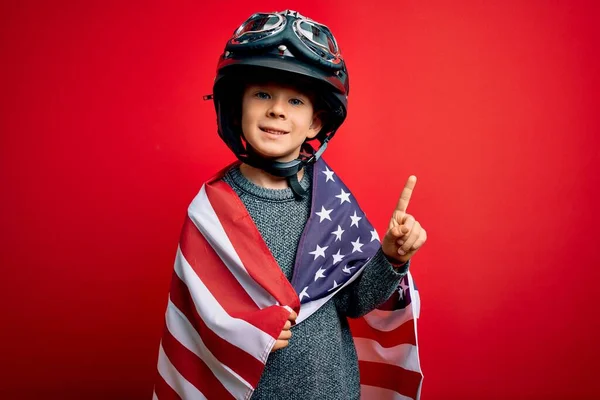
204	217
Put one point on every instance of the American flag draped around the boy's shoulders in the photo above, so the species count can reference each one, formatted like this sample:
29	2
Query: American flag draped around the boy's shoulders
229	299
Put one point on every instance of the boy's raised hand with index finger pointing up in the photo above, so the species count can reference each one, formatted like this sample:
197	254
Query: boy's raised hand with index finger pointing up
405	235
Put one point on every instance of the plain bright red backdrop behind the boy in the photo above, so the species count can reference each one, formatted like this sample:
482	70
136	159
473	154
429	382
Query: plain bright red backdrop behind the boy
105	140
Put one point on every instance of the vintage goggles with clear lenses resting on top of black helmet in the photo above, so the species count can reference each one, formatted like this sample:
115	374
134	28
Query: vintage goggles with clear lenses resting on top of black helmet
312	40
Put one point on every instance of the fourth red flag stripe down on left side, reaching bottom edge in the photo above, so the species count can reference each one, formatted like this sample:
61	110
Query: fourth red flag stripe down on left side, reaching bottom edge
193	368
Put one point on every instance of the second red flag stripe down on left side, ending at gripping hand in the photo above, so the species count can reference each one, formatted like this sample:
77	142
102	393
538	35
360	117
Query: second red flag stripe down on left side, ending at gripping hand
223	285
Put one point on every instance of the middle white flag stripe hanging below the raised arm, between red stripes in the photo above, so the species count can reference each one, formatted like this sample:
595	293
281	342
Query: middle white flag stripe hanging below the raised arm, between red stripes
403	355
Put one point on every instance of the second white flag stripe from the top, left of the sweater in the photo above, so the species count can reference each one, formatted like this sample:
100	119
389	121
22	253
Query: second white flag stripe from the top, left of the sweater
236	331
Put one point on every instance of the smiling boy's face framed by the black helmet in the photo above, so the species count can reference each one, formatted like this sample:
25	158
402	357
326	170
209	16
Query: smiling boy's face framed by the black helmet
277	119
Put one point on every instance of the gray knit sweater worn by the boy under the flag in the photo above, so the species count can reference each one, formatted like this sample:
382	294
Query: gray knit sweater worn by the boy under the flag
320	361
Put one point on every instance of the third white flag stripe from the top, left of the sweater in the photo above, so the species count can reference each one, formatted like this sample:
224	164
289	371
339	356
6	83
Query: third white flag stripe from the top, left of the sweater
185	334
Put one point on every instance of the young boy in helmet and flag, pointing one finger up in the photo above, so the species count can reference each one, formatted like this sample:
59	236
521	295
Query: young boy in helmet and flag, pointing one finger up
260	299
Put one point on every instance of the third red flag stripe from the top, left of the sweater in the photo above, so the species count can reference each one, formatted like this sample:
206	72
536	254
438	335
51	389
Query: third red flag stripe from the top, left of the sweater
235	358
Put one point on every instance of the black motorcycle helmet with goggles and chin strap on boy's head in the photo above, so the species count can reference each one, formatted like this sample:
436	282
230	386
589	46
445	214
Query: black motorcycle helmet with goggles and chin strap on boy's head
282	46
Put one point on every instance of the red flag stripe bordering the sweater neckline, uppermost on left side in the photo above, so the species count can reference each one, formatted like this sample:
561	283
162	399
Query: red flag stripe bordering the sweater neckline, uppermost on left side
249	244
